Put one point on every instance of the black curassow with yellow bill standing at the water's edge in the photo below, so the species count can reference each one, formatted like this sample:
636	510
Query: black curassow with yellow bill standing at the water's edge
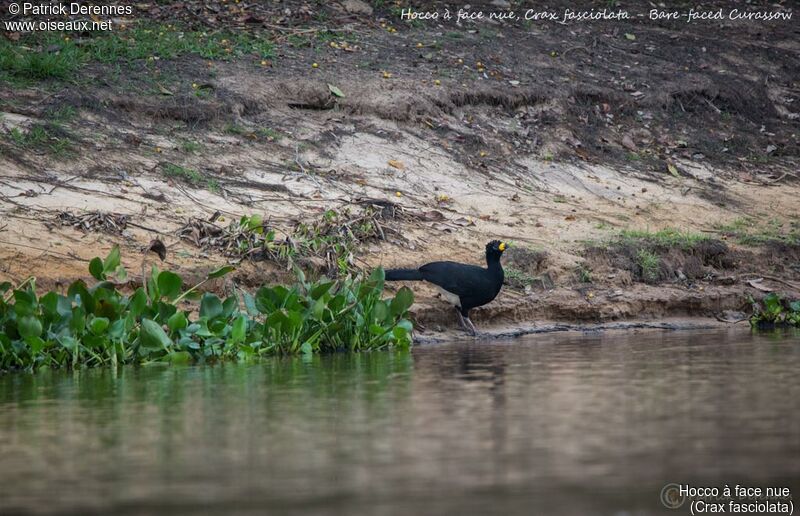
465	286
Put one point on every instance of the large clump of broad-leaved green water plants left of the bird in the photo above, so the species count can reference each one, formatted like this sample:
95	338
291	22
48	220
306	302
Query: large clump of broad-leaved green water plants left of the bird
100	325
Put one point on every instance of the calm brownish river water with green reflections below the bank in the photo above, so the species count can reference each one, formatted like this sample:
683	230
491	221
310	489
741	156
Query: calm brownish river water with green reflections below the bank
560	424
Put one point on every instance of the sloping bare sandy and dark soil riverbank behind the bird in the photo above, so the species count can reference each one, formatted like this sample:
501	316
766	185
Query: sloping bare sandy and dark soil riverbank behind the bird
577	143
